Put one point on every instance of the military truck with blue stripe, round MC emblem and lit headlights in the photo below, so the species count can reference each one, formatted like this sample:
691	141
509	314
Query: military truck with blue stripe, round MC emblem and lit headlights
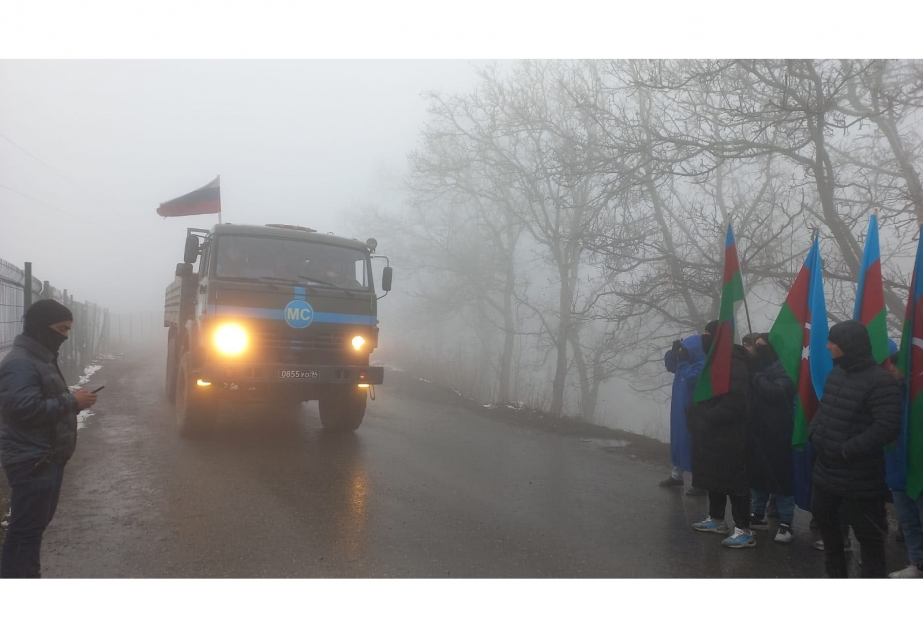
276	314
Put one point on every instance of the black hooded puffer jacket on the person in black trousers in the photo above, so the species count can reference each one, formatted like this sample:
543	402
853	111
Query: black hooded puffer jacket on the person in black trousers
860	413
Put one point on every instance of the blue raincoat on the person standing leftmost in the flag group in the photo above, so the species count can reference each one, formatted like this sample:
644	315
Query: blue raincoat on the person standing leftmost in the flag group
686	376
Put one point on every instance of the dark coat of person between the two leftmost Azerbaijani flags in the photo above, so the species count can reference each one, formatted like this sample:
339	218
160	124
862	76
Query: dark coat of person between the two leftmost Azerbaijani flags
772	419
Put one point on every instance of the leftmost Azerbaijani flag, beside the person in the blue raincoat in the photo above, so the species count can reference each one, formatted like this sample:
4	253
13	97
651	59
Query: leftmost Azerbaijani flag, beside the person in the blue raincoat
715	378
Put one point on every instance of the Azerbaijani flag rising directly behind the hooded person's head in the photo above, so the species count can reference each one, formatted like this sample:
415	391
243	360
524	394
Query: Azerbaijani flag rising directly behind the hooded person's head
870	308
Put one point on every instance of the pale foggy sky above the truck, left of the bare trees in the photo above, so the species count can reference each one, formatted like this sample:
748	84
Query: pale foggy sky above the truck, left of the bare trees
294	142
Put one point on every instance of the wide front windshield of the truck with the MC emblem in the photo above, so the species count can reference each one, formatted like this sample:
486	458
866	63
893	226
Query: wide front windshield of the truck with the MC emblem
255	257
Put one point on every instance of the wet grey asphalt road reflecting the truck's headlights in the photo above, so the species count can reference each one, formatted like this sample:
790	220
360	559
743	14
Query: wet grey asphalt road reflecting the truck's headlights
426	488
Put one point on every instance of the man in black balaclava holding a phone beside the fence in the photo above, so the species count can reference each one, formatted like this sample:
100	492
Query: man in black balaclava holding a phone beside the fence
38	432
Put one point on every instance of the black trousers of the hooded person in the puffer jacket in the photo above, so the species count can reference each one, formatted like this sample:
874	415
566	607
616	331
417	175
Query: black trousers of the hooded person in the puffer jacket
869	523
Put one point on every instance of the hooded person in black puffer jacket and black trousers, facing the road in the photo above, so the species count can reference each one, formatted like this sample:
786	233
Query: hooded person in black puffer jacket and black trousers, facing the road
859	414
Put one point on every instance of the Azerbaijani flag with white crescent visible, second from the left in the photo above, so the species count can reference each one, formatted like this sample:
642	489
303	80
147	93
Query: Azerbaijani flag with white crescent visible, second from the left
799	337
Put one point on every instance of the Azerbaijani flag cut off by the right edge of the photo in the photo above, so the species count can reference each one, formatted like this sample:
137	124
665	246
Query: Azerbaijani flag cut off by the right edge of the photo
910	363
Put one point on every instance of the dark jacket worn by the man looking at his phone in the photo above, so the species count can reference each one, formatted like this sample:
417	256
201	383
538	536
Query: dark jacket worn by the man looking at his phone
38	414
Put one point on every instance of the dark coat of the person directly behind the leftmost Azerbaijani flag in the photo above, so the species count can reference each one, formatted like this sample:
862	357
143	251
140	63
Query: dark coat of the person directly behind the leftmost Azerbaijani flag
718	428
